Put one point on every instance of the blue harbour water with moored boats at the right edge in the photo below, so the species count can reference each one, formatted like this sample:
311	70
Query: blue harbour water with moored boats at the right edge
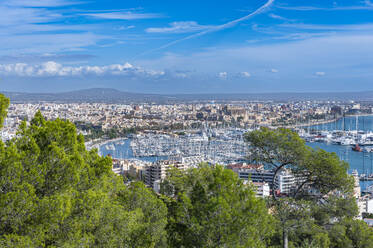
351	138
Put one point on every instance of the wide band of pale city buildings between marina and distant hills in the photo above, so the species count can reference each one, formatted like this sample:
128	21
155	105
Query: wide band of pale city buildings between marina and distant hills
145	117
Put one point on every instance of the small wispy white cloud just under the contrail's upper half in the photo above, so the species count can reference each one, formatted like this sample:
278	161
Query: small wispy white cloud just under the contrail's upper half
179	27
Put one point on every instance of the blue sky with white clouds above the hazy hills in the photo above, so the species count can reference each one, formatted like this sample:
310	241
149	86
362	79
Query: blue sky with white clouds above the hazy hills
189	46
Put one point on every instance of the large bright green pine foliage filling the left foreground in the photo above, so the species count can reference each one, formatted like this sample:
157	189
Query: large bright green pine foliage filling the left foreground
55	193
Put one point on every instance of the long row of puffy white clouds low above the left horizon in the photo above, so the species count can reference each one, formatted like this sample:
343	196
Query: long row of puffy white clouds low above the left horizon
52	68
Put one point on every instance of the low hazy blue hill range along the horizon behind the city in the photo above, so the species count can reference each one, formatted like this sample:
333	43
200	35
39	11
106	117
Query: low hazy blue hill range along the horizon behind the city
104	95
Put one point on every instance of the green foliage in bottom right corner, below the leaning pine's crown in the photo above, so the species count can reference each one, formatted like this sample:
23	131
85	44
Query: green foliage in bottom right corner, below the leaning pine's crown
319	225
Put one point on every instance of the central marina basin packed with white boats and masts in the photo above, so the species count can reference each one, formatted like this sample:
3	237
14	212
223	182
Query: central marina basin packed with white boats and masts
221	146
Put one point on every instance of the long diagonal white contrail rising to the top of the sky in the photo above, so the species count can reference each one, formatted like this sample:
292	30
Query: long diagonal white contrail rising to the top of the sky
213	29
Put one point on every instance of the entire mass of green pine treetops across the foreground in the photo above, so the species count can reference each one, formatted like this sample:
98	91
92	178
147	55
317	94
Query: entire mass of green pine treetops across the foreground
56	193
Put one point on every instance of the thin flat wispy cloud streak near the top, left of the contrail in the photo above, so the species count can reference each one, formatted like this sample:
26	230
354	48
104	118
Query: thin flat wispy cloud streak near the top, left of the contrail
122	15
